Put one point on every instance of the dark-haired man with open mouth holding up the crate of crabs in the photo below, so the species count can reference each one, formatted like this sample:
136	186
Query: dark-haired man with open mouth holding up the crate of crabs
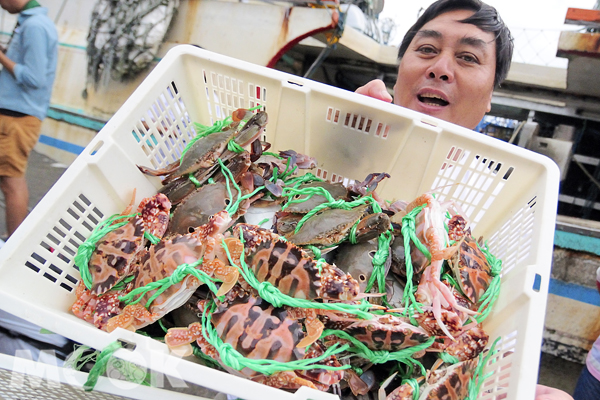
451	60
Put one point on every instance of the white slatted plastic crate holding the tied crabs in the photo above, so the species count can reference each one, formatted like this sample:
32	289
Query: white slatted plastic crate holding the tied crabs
510	195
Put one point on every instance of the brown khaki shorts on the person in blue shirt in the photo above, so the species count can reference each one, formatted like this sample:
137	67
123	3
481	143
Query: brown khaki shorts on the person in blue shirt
18	135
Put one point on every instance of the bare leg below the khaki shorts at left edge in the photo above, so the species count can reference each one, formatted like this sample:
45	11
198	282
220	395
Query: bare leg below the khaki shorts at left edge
16	196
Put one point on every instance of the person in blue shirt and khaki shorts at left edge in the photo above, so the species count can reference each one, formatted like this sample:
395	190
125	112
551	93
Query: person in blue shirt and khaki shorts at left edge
26	80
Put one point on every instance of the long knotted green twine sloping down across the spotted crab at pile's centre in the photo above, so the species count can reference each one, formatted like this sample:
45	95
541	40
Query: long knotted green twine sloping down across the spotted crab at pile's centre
272	295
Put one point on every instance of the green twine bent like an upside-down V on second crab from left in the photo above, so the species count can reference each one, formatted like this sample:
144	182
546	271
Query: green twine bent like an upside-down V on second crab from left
160	286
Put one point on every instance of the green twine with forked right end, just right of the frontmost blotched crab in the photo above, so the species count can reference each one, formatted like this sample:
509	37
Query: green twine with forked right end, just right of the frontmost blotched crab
381	356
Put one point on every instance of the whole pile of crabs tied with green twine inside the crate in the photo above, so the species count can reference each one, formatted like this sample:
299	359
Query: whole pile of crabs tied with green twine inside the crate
337	289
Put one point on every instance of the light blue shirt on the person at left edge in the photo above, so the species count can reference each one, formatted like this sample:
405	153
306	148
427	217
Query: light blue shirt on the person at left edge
34	49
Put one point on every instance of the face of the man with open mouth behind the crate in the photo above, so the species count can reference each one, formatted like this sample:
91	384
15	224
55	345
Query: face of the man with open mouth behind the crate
448	70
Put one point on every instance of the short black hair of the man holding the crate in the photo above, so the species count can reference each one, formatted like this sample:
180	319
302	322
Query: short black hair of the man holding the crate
485	18
